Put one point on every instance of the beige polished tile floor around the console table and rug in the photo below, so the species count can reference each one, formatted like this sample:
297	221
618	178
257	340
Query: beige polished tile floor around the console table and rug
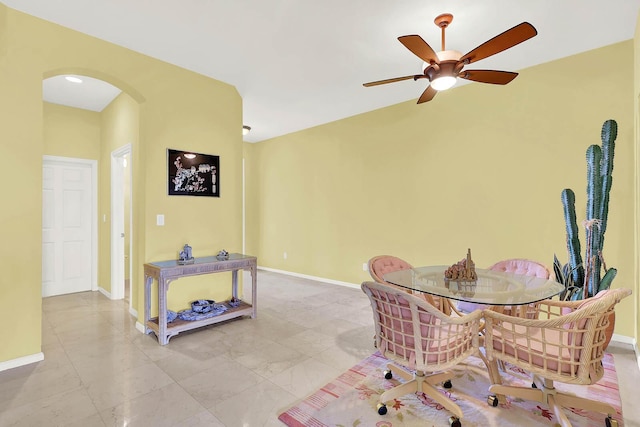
100	371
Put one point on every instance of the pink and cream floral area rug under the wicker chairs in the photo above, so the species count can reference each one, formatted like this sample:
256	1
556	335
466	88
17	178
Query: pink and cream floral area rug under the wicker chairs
350	400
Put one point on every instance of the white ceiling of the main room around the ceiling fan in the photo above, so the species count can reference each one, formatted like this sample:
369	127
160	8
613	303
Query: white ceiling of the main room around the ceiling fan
301	63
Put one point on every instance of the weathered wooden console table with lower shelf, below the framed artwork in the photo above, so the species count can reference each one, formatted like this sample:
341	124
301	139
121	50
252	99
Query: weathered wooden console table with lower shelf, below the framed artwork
164	272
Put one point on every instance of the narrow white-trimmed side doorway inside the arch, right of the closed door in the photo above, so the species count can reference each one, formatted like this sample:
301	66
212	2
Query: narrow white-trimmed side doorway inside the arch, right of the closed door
117	223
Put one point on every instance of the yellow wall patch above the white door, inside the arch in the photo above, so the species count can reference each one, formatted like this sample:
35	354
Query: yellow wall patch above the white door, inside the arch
71	132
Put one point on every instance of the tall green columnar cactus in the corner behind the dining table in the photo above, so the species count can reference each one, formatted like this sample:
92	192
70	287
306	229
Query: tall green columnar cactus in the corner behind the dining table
587	275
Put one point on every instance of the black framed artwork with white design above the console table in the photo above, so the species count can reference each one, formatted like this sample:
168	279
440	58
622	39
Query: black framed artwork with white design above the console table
193	174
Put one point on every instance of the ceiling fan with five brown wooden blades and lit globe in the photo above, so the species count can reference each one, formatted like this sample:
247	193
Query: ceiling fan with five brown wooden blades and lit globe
444	67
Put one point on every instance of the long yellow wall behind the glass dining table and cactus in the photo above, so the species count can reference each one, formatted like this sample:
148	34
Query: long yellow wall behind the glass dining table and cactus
480	167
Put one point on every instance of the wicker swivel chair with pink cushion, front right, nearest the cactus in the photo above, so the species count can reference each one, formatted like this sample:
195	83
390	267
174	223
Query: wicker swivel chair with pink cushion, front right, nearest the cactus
565	343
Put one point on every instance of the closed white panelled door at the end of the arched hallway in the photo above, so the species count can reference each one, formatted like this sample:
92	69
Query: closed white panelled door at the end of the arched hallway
67	244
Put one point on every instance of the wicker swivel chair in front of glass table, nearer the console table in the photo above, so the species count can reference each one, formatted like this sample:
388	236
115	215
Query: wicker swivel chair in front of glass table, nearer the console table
414	334
